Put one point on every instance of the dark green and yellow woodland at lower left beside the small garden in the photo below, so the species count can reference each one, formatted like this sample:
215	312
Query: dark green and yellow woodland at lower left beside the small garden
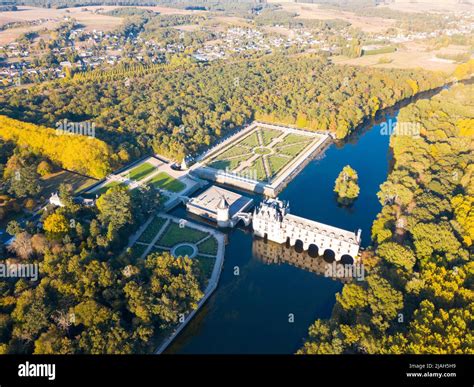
93	295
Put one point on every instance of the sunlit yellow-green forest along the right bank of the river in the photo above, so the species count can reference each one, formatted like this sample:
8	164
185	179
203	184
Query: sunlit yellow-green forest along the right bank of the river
418	294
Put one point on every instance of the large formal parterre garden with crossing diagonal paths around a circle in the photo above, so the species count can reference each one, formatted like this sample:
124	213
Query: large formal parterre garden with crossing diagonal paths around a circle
261	153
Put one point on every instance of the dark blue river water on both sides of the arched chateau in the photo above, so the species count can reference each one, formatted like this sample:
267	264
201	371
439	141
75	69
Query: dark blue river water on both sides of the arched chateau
251	312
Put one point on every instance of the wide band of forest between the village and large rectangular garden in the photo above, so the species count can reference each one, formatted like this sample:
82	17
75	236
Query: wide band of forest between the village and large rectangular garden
184	109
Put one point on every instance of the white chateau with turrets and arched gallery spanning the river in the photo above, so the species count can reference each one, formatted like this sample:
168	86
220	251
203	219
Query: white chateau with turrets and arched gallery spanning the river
272	220
